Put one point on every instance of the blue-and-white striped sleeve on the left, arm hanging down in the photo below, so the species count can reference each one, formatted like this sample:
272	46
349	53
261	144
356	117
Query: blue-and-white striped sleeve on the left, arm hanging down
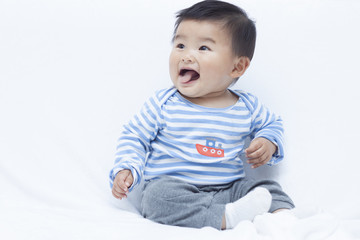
134	142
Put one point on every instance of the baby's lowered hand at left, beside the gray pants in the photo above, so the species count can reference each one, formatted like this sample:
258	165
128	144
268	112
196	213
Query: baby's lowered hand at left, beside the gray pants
122	182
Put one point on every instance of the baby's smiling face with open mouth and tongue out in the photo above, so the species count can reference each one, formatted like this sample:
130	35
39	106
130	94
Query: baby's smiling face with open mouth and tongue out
201	61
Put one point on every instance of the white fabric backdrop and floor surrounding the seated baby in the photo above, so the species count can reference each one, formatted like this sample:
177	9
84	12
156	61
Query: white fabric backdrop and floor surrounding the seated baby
72	72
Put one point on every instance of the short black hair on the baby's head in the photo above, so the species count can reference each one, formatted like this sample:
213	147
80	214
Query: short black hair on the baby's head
241	29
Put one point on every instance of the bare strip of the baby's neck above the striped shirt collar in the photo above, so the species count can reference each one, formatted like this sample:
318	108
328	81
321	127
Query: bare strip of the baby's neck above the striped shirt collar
223	100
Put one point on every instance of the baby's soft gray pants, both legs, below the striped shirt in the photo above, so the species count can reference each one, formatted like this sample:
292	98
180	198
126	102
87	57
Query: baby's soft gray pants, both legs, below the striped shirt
170	201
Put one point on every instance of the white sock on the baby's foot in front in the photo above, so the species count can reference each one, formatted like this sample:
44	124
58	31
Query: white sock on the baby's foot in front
252	204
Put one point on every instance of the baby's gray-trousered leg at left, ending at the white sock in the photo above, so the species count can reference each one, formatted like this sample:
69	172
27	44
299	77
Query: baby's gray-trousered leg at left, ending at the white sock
173	202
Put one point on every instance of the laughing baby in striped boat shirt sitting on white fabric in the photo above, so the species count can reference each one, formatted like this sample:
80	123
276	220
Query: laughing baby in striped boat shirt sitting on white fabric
186	141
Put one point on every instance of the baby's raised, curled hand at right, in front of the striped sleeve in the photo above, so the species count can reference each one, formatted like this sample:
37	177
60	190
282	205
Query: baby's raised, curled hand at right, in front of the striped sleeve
260	152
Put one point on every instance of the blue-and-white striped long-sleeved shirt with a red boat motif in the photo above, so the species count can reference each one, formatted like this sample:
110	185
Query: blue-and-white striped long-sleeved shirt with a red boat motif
200	145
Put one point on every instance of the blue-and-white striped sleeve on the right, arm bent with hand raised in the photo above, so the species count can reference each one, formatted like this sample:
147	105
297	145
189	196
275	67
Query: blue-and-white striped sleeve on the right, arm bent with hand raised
267	125
